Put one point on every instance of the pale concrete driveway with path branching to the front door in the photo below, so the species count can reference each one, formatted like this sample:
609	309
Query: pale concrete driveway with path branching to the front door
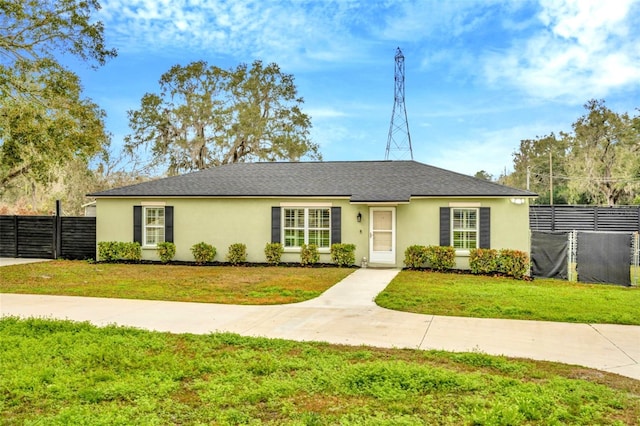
346	314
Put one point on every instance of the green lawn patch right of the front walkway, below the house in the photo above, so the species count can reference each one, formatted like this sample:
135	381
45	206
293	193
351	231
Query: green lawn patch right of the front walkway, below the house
498	297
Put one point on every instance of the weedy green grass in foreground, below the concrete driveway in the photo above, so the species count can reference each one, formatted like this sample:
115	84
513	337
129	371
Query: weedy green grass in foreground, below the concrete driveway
63	373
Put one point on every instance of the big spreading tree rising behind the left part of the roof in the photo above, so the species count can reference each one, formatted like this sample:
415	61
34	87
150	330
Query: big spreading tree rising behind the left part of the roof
205	116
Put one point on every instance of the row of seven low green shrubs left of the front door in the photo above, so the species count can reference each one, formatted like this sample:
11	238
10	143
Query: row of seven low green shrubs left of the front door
111	251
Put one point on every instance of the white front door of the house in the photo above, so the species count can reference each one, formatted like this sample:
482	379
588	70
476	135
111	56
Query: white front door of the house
382	235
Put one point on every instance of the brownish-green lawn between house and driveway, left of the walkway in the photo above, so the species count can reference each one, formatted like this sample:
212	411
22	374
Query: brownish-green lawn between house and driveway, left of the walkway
260	285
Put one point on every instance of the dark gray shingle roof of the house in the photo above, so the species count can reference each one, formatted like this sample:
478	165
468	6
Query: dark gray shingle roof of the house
361	181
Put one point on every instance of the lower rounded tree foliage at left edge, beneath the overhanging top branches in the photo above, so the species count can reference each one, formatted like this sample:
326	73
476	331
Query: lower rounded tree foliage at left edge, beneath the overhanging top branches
36	138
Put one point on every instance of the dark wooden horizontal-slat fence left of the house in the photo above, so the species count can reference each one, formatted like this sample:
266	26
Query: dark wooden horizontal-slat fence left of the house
48	237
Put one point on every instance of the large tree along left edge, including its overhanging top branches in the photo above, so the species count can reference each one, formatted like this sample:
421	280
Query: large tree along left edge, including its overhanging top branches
44	122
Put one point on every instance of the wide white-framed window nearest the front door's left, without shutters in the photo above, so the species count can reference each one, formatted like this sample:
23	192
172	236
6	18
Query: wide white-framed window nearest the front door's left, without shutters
306	226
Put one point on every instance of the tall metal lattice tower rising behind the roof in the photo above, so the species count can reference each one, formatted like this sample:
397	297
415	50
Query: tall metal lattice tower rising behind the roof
399	141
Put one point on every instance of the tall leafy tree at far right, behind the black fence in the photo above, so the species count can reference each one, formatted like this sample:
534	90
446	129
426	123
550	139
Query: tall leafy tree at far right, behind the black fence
604	157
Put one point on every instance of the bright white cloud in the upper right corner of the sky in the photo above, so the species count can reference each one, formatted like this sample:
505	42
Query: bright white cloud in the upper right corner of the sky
585	49
